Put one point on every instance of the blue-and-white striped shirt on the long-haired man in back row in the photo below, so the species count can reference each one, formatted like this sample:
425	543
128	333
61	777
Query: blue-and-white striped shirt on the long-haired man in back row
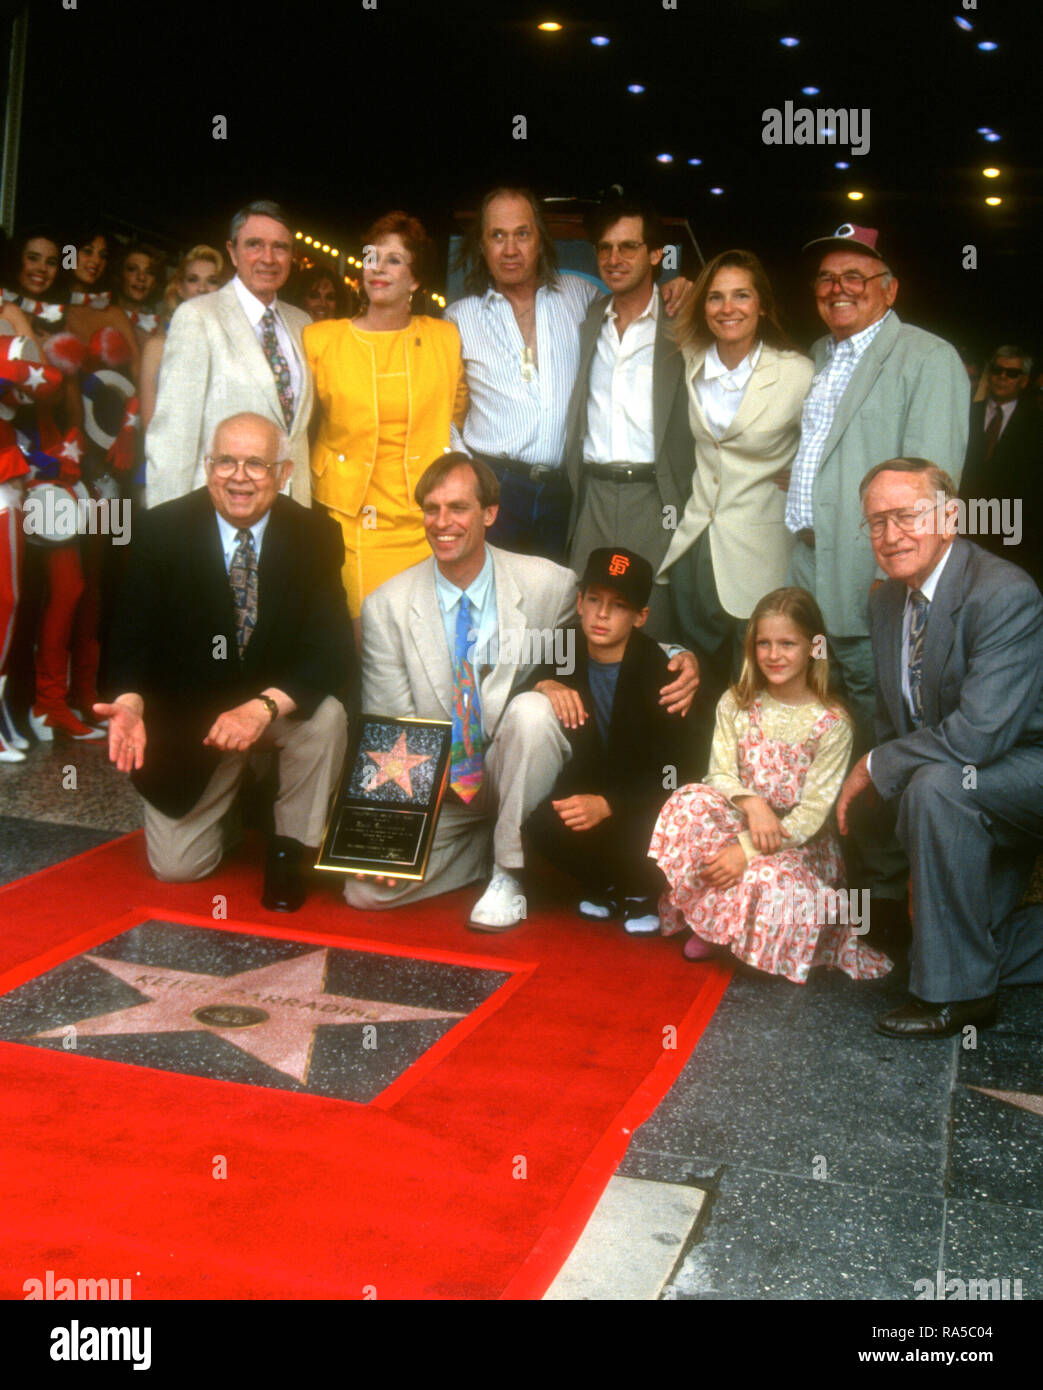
510	416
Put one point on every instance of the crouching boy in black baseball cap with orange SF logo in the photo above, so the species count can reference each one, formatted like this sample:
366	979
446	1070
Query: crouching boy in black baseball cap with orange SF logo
626	750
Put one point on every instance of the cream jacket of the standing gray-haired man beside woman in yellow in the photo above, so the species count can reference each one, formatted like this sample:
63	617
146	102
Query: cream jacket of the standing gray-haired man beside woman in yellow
213	368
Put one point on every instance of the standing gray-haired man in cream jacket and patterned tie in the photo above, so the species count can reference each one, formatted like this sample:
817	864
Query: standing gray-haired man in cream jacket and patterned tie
232	352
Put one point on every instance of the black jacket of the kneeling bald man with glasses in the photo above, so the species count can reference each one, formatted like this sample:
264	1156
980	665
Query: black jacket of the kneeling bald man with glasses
173	637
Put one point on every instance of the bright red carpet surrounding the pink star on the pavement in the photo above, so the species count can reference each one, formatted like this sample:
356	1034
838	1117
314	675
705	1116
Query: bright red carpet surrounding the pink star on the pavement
469	1178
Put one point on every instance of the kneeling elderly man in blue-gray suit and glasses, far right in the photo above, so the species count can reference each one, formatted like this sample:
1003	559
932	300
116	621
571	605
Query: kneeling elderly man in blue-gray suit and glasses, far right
957	637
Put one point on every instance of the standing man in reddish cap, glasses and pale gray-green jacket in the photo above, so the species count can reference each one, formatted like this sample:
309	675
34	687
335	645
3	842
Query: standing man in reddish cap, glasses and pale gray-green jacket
881	390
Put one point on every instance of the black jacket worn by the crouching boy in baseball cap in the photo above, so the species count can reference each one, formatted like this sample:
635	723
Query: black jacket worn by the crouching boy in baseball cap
632	768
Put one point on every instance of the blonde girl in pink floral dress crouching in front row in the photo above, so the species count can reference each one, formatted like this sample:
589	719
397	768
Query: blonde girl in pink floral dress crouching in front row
752	856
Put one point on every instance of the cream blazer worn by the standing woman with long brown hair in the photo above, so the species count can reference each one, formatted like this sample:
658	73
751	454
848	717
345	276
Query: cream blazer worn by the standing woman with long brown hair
732	490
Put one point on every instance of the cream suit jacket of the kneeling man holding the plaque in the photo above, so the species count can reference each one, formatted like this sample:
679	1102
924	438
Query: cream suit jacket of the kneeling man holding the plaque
407	667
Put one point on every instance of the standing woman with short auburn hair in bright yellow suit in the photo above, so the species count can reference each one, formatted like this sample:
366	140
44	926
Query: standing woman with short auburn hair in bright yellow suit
389	386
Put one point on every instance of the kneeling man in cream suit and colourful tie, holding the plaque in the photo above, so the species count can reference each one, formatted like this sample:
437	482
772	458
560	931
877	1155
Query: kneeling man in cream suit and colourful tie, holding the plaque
465	632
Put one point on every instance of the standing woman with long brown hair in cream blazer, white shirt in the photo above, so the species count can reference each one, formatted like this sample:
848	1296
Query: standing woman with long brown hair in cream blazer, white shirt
746	389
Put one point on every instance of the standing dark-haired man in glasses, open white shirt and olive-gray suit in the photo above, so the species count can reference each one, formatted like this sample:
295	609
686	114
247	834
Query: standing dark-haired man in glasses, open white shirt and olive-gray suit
629	451
